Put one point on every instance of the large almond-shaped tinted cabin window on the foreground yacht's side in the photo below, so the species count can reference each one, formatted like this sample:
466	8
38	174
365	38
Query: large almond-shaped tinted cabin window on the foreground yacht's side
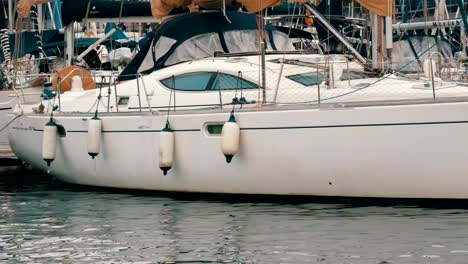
207	81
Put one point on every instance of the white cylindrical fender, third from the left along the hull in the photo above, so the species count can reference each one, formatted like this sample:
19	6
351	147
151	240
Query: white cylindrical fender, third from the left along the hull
166	148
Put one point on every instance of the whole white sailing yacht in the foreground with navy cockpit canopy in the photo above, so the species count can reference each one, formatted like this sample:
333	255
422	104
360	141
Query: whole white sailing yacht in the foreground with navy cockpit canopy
206	108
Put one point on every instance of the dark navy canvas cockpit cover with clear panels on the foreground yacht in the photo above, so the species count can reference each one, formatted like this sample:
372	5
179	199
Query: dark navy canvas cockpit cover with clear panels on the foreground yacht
200	35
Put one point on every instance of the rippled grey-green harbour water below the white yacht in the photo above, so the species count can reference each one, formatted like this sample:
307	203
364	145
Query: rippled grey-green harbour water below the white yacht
45	221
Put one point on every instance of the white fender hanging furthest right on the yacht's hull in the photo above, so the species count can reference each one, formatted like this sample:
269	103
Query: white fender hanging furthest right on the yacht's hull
230	135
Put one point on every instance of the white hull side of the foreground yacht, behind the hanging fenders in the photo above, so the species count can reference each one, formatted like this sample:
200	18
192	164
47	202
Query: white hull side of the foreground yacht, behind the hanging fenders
406	151
